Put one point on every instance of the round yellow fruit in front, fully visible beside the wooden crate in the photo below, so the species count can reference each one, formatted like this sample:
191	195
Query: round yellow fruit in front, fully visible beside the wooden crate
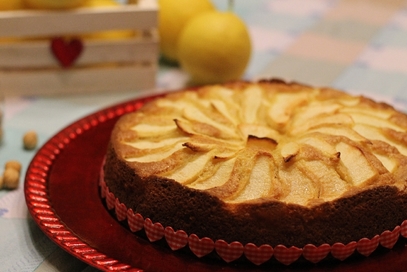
214	47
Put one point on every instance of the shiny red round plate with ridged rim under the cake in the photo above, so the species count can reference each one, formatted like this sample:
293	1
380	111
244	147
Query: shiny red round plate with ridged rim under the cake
62	195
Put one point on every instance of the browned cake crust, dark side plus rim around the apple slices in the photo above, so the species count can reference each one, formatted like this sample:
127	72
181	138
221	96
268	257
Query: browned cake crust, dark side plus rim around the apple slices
360	212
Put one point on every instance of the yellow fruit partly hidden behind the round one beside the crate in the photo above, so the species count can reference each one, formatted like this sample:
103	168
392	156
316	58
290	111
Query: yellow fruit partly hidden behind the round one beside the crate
173	16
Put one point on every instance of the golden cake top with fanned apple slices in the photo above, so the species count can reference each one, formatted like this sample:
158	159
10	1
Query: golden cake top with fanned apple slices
247	142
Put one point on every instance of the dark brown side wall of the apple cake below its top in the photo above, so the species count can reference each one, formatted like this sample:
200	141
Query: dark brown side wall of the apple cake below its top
348	219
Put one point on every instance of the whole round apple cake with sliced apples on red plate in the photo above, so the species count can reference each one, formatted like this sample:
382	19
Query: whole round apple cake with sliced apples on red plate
265	162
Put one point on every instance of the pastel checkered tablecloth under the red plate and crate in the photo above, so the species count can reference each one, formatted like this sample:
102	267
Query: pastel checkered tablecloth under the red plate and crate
359	46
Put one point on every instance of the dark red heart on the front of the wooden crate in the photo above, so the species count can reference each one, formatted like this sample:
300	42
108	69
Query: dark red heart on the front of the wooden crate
66	51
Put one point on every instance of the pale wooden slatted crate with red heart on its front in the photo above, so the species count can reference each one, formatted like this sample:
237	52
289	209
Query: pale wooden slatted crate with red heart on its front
28	65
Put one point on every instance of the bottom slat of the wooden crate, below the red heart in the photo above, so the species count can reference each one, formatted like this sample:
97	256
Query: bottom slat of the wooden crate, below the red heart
96	79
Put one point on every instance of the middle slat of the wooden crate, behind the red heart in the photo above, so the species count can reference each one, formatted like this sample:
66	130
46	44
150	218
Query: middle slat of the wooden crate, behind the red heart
38	54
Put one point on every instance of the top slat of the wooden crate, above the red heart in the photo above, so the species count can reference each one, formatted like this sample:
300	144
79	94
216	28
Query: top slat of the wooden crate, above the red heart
82	20
